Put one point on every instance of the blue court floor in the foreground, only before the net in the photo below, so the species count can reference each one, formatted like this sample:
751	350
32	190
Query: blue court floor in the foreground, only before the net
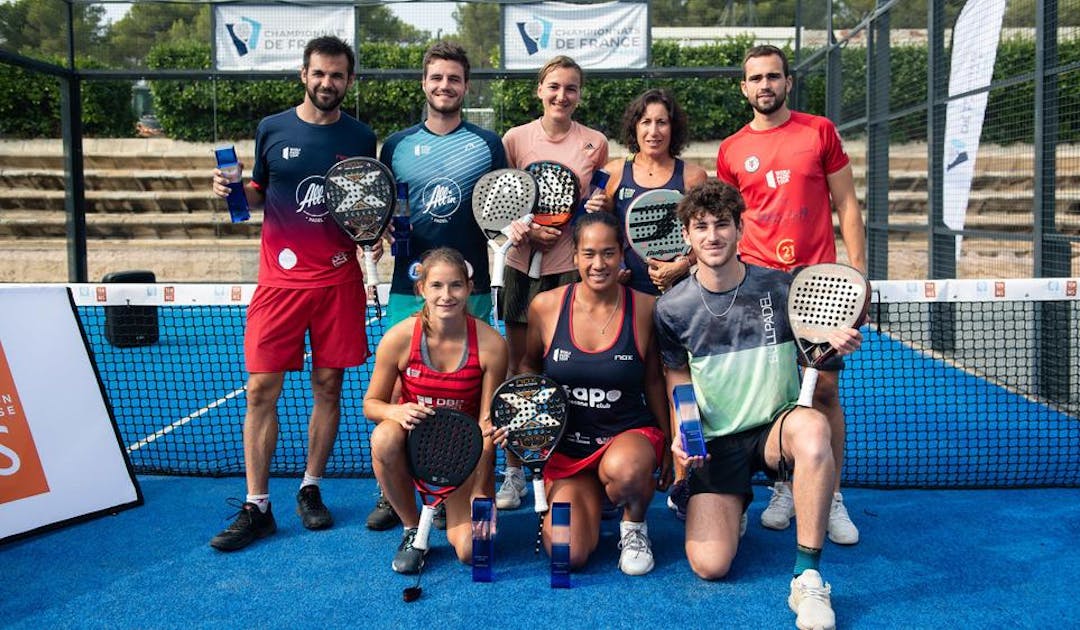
928	559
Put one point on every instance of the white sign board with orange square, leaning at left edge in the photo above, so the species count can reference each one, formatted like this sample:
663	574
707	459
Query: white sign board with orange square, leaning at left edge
61	457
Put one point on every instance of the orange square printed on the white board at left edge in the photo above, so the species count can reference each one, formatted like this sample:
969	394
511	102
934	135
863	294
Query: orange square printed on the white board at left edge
21	473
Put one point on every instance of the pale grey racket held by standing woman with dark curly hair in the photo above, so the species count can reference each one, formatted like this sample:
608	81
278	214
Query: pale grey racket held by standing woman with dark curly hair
653	230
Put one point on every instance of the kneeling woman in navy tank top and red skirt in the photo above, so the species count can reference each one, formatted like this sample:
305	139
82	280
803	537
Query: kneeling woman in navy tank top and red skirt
596	339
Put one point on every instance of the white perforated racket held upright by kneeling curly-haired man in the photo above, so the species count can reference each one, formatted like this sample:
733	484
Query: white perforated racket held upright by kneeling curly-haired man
823	299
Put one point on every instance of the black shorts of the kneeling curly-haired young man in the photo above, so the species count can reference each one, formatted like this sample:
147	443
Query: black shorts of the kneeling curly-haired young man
735	461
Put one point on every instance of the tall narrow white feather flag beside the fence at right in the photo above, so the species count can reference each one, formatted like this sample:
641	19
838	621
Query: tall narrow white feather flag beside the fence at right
975	50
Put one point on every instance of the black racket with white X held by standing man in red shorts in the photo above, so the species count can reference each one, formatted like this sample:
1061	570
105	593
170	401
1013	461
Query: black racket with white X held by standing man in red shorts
360	195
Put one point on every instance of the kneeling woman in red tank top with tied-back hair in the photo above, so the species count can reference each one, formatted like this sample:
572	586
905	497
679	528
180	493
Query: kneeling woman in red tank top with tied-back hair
445	358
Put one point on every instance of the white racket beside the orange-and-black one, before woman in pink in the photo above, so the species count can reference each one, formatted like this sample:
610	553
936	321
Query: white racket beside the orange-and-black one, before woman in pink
499	199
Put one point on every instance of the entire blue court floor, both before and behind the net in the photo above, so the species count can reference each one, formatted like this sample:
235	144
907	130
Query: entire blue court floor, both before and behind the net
965	551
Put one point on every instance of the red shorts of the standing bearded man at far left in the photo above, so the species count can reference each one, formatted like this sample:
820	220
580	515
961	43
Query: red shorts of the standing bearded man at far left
278	320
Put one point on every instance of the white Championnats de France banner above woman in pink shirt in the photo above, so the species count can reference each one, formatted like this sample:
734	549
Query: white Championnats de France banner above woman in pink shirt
612	35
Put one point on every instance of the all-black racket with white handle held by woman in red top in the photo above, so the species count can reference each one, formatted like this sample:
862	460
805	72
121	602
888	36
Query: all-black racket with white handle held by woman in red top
443	451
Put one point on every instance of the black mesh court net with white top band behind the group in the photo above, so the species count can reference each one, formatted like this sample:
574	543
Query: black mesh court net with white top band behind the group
960	384
